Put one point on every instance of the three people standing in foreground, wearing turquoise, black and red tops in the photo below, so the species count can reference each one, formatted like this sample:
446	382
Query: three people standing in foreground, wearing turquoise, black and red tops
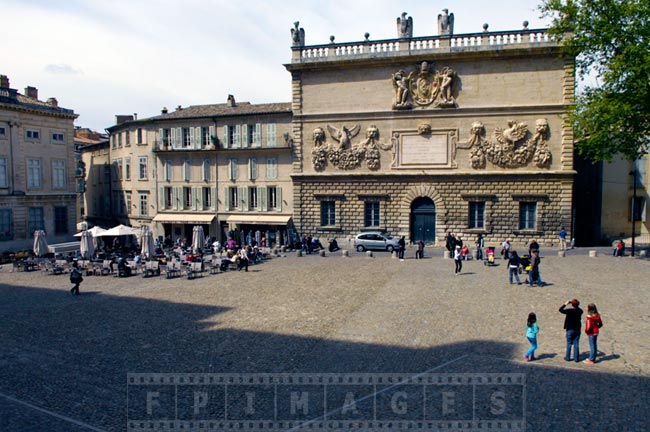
572	326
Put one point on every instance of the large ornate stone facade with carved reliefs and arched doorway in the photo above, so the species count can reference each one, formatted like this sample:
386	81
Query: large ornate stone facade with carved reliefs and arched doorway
424	136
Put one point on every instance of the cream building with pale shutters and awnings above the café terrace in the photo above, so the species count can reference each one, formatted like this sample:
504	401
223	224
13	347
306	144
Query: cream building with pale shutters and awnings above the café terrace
223	166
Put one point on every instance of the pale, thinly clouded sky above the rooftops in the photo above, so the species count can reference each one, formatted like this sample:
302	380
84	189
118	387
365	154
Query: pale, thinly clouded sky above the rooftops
107	57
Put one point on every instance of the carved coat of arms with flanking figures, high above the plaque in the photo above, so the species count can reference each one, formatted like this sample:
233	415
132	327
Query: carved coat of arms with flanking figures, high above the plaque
424	88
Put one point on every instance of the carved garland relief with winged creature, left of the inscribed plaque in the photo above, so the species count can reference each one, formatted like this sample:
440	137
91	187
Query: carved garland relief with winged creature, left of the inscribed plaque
347	155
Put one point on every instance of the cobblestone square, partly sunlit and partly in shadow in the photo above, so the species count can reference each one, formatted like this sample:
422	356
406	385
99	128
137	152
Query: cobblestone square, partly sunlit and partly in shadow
64	359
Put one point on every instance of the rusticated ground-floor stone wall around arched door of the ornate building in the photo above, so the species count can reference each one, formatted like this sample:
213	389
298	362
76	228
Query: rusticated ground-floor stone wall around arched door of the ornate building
451	195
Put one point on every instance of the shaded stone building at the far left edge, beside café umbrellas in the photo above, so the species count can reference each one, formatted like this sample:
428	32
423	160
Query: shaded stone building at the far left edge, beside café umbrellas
37	169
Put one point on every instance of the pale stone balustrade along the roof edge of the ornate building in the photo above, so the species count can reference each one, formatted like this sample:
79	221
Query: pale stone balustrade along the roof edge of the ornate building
484	41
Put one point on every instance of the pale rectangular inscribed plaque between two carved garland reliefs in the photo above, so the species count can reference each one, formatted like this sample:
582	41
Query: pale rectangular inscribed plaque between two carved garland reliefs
424	150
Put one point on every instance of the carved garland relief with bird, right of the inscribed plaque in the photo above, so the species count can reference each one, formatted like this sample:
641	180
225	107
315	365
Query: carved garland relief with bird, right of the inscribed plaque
511	149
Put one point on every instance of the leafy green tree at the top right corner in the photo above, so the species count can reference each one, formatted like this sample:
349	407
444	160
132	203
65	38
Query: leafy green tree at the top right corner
610	40
